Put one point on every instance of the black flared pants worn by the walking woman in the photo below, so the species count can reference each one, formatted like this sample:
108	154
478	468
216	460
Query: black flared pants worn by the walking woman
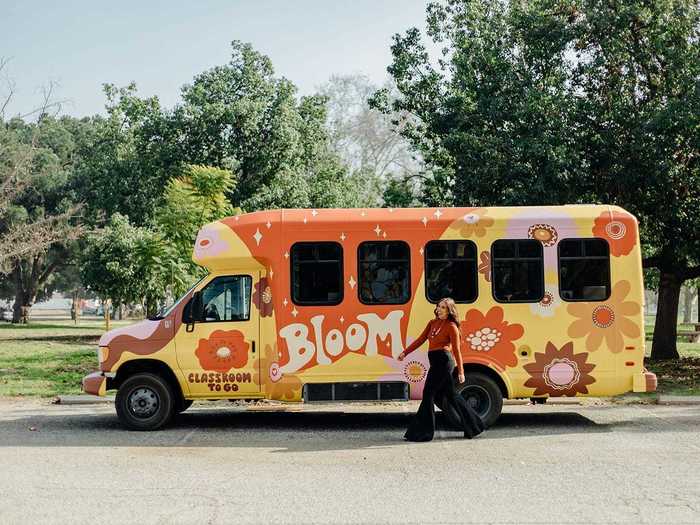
441	385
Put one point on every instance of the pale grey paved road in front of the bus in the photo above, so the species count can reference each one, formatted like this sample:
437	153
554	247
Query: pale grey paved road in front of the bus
222	464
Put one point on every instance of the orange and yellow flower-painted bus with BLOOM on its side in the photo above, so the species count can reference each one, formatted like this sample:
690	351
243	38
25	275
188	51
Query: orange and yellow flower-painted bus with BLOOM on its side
305	305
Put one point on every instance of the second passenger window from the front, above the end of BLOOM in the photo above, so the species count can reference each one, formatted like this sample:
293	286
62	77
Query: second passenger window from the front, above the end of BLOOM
384	272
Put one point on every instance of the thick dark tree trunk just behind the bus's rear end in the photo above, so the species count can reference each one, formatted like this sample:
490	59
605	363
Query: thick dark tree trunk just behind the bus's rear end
664	343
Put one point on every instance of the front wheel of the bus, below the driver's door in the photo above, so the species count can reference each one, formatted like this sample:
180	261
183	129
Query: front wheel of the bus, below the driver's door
145	402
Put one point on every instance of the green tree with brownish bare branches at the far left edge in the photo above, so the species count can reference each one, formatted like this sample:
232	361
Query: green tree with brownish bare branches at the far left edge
38	209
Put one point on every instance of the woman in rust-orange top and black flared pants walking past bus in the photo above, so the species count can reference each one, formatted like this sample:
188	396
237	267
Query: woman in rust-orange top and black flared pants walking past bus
442	334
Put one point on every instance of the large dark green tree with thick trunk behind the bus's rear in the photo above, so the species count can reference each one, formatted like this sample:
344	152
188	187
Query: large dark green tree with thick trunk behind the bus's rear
566	101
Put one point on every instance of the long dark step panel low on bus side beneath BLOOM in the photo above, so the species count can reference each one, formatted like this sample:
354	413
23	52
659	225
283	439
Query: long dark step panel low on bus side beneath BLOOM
365	391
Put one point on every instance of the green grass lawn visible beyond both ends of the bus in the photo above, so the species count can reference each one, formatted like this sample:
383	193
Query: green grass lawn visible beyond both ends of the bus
50	358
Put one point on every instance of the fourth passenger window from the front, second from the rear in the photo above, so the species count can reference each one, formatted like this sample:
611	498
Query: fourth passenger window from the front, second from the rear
517	270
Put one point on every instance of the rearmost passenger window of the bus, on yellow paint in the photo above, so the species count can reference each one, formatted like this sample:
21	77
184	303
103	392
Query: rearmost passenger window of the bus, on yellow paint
584	269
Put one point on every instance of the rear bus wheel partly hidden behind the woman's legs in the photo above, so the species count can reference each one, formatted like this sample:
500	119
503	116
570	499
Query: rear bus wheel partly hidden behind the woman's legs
484	396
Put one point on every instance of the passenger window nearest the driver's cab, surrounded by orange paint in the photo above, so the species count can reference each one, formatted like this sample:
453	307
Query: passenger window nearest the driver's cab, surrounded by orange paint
317	273
